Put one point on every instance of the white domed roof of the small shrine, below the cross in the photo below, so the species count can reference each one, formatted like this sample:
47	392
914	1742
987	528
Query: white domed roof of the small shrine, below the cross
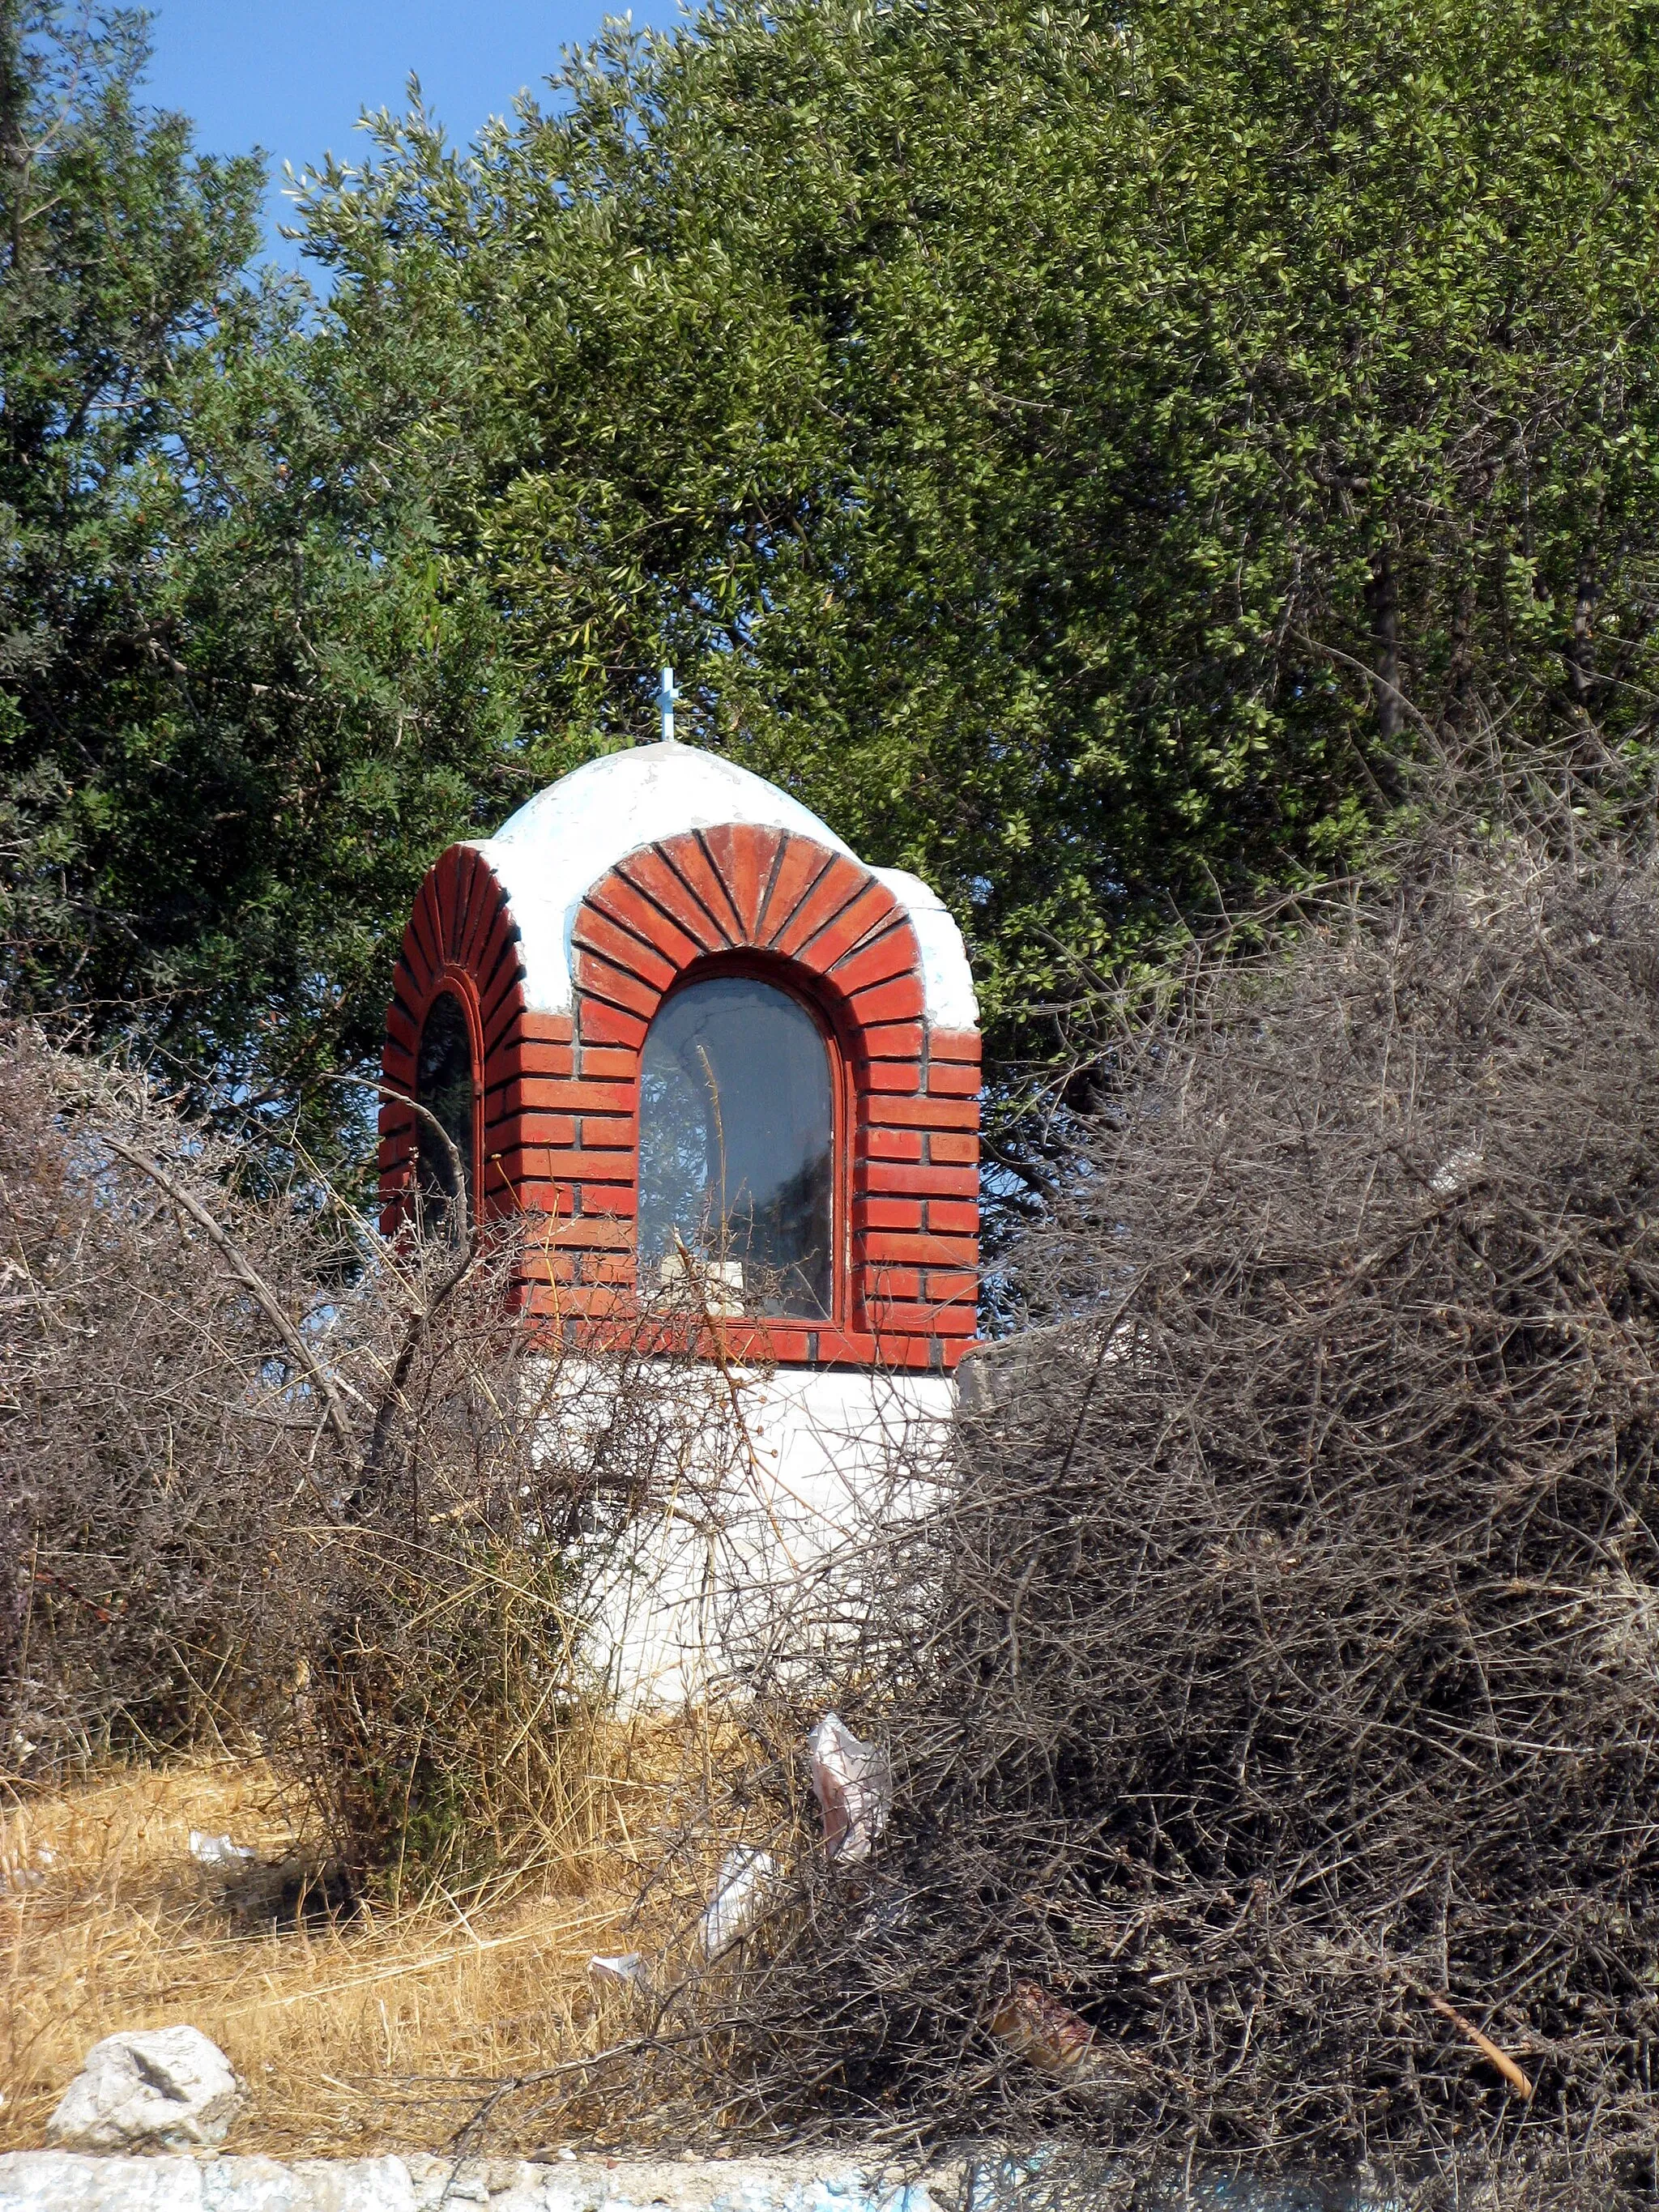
574	833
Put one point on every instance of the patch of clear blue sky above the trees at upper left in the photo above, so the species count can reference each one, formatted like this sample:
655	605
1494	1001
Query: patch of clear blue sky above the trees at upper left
293	76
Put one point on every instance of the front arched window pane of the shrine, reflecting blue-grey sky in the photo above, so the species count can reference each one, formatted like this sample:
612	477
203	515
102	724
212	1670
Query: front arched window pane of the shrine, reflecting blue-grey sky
735	1149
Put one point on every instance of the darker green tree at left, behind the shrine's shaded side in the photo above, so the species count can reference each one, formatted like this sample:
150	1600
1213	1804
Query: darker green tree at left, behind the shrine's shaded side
240	705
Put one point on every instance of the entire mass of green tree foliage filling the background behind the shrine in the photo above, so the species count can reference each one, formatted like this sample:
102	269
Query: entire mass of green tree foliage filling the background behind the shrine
1085	455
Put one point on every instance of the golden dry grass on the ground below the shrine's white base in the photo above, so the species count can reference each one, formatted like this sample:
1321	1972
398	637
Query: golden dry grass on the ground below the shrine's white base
371	2034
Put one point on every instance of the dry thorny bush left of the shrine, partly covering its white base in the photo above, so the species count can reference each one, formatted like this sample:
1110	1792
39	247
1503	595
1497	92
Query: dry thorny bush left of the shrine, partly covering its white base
273	1477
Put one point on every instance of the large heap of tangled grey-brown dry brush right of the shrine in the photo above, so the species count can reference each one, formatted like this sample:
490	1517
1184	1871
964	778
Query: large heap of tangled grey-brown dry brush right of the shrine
1277	1682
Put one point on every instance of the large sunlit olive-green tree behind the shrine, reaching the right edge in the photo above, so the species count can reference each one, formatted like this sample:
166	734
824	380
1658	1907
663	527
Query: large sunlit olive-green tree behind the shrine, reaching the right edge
1032	428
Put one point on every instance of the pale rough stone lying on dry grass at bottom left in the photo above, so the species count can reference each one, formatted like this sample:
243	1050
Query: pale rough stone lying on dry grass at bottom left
154	2089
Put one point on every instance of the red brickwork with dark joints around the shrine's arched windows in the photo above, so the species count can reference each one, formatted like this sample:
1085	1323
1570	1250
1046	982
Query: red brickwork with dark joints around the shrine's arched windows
561	1094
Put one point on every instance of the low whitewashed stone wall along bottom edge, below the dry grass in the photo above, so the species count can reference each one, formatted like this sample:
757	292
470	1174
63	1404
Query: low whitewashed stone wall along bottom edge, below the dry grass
74	2182
